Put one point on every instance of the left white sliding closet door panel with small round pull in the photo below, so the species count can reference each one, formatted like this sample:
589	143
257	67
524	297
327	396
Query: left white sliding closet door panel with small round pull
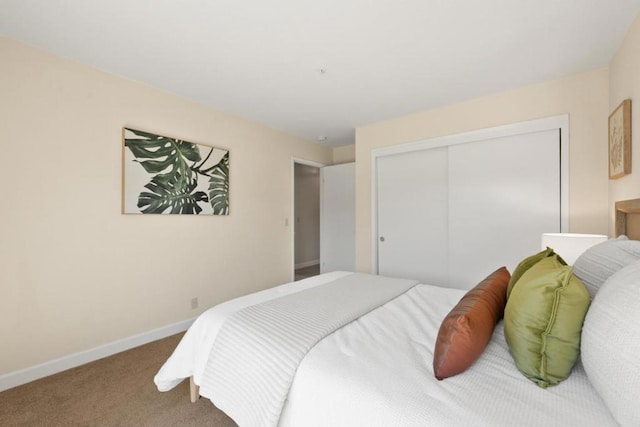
412	215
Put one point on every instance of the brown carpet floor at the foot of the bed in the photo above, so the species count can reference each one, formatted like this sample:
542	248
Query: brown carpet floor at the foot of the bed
114	391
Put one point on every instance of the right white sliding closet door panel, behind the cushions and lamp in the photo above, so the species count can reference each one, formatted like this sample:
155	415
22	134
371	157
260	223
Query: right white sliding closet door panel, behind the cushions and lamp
503	194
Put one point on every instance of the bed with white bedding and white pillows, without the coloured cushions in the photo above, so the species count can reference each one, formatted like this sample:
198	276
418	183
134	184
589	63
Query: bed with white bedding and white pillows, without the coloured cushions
375	367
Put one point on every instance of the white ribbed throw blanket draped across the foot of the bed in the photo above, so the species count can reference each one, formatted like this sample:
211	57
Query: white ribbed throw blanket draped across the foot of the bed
259	348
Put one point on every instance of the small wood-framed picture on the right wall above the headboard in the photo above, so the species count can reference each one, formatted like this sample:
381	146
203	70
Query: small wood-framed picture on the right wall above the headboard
620	140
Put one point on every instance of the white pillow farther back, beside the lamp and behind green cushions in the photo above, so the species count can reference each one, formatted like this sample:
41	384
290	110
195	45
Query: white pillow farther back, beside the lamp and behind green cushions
599	262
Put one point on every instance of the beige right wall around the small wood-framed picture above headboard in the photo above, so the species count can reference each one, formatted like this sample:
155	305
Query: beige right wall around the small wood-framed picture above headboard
624	83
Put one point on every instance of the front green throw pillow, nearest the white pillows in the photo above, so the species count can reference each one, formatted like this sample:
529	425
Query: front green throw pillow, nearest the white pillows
543	321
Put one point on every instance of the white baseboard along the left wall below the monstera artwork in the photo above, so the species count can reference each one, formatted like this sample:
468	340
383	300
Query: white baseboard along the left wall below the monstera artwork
23	376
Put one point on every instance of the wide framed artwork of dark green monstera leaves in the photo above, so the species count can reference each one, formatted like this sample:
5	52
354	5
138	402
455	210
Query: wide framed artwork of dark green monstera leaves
164	175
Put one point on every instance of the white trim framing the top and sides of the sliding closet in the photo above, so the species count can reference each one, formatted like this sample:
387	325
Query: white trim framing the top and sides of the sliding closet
560	122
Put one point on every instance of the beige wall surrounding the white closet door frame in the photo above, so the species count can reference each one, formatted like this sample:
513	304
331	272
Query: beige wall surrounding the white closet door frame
584	97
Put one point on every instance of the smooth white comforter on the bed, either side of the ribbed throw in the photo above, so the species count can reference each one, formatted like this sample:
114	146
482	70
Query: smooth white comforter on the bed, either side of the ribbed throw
377	371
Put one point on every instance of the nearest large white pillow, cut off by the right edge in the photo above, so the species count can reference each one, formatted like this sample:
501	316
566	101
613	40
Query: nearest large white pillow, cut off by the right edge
611	344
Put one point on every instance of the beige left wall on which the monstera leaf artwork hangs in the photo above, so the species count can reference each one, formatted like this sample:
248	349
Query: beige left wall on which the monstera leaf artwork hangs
76	273
